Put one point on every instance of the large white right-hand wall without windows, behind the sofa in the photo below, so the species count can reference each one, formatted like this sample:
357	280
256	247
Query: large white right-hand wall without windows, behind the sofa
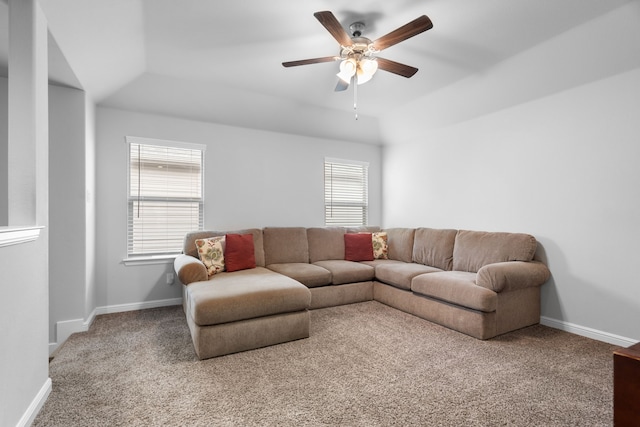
563	167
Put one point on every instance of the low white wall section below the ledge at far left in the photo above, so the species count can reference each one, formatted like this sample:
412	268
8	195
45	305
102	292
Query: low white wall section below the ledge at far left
23	336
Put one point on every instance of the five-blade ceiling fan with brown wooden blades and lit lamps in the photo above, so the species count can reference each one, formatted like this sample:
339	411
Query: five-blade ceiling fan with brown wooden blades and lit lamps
359	54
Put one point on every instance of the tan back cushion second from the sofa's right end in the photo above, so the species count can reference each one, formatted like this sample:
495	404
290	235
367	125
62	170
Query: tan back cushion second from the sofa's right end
434	247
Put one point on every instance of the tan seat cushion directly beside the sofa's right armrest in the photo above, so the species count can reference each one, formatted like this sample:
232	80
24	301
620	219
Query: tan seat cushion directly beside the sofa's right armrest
457	287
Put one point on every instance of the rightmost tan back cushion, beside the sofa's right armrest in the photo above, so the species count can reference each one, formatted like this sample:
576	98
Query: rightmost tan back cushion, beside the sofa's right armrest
475	249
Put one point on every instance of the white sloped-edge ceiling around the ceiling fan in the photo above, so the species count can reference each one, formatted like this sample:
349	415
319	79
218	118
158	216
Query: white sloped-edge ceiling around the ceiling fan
221	60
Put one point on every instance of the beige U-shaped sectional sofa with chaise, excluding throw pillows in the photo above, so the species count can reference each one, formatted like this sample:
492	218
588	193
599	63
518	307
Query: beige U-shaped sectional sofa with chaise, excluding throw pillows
479	283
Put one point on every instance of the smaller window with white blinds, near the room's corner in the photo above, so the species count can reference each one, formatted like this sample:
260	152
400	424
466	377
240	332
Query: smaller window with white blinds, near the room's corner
346	201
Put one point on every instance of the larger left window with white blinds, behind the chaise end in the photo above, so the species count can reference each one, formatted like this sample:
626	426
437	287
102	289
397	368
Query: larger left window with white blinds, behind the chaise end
165	195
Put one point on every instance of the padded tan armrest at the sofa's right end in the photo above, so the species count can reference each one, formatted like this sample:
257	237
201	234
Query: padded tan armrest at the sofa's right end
512	275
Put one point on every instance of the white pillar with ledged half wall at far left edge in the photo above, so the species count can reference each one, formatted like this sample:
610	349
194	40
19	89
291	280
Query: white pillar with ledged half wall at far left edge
24	382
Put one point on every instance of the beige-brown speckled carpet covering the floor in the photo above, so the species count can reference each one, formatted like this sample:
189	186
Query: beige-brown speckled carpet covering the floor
364	365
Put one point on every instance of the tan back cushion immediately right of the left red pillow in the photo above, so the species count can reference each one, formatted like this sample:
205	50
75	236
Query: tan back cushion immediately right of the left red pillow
285	245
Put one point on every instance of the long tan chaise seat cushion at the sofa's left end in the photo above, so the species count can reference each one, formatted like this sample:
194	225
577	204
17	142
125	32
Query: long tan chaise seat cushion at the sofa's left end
246	294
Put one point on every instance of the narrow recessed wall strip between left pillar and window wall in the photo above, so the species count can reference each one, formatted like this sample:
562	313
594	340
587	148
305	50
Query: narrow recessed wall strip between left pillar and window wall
67	231
